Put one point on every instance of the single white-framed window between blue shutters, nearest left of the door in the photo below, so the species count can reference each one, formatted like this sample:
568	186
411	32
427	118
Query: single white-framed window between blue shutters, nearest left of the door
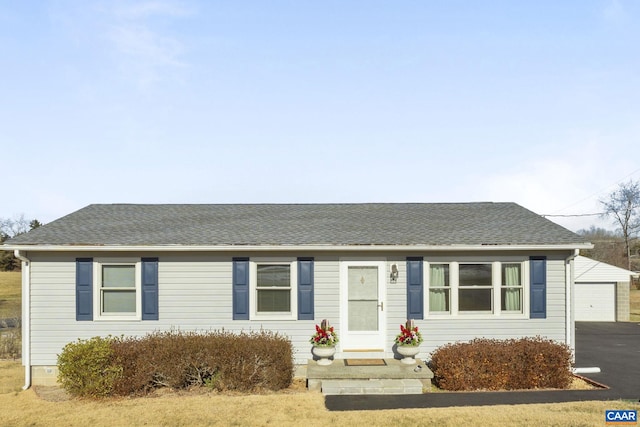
273	288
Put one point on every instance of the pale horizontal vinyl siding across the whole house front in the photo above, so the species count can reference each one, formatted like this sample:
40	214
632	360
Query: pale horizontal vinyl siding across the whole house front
195	294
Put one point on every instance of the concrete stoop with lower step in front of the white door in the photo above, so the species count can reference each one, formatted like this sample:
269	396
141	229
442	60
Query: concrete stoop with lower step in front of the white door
393	378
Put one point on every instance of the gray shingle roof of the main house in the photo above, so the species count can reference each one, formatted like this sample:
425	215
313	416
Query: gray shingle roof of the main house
301	224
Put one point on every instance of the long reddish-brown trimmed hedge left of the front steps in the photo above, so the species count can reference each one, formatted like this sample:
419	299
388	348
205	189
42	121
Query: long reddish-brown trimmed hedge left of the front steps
181	360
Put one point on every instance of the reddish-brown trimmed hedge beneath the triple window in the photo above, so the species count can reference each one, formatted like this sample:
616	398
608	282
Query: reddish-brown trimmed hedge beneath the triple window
484	364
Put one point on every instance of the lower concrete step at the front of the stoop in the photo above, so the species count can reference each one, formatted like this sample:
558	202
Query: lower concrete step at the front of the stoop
372	386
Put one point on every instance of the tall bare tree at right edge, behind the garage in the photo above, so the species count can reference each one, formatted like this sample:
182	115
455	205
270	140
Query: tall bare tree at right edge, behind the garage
623	204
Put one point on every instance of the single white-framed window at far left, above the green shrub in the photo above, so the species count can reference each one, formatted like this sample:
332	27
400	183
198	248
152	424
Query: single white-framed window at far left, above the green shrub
117	294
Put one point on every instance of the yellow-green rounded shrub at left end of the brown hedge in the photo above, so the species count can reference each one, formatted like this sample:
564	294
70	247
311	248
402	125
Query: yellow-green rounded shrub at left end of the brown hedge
87	367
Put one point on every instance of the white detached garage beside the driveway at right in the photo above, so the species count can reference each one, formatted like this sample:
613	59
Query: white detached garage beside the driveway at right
601	291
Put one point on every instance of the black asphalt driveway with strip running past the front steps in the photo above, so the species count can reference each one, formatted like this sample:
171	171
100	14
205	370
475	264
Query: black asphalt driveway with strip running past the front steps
612	347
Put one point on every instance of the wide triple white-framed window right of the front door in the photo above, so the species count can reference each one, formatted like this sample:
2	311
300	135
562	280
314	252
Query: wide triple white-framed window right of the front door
477	288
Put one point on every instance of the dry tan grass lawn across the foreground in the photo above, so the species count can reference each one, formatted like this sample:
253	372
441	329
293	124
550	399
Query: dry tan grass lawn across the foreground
289	408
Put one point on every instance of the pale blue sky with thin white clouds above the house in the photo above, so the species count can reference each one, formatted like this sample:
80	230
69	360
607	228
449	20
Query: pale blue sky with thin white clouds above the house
534	102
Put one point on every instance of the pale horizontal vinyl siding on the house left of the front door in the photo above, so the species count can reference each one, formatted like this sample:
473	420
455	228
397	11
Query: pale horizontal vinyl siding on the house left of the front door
195	294
